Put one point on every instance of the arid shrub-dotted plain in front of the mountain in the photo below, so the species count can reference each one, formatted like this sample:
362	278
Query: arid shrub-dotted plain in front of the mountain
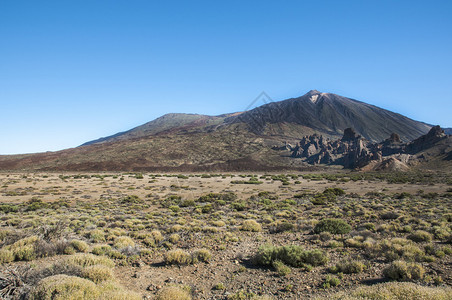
225	236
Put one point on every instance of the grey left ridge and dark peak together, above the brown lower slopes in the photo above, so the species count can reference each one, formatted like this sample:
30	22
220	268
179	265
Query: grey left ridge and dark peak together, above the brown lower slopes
328	114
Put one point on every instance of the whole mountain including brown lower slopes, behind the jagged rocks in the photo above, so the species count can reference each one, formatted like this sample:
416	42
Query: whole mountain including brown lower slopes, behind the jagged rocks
231	142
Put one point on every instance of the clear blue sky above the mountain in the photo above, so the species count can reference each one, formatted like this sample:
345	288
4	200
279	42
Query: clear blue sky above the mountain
73	71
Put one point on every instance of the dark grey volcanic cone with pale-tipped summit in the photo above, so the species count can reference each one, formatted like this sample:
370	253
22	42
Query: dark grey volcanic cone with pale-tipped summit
330	114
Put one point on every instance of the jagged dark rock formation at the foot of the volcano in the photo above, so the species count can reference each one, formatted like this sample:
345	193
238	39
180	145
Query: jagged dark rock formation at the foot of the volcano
354	151
